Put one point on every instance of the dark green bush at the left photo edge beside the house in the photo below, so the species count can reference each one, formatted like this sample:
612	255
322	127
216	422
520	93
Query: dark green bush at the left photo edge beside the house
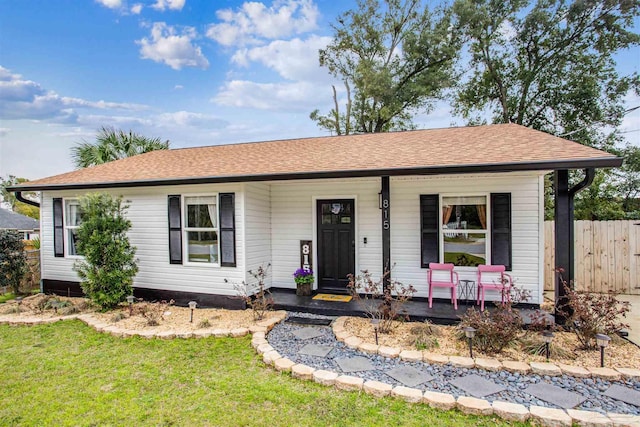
13	261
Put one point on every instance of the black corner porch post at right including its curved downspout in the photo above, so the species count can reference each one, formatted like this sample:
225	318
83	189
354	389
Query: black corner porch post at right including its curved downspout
564	236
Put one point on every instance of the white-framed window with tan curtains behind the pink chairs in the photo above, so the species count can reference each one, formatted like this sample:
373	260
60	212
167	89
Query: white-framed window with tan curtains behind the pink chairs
464	236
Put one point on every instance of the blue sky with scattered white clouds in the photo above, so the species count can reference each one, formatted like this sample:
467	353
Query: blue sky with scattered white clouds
195	72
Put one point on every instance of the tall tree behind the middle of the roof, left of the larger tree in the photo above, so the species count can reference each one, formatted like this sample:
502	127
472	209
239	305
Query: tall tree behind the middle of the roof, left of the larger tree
395	58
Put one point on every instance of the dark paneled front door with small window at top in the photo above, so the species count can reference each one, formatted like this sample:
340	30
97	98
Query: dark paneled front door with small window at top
336	243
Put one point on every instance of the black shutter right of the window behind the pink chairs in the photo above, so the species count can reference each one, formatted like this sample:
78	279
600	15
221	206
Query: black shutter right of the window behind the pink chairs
501	229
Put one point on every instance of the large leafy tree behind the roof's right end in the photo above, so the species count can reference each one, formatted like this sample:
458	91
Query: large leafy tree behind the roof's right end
548	65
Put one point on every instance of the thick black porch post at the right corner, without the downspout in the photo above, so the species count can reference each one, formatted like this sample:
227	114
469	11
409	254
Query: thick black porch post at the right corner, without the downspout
563	217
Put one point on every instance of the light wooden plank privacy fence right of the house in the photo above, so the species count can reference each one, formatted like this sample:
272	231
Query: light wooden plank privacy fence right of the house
607	256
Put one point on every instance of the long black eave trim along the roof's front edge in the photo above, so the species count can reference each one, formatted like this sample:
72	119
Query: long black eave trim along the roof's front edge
603	162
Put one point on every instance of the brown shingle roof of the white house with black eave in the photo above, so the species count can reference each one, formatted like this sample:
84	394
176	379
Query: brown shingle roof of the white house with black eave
494	148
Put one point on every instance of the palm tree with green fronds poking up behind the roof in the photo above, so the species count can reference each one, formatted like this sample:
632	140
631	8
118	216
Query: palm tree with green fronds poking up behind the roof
112	144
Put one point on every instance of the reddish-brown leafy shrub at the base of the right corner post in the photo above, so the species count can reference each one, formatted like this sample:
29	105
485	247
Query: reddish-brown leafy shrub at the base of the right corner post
589	313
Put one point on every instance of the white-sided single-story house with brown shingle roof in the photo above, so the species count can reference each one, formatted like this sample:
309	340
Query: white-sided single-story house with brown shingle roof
470	195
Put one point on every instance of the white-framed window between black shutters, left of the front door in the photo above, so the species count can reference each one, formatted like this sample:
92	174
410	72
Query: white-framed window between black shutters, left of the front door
200	229
